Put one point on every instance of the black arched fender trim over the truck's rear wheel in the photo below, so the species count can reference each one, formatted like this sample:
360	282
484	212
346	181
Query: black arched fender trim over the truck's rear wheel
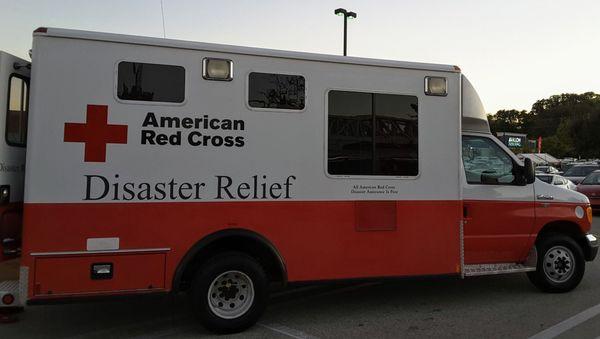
239	240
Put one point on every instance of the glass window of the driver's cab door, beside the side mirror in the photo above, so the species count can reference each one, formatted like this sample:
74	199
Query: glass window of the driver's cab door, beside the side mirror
486	163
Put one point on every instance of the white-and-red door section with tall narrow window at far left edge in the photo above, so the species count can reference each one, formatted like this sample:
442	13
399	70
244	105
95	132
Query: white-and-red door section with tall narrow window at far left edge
14	107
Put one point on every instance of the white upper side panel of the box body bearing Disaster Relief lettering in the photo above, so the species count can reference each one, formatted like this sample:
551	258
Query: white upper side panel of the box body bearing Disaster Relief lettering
73	69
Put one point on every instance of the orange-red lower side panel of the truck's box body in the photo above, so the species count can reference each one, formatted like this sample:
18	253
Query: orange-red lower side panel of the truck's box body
317	240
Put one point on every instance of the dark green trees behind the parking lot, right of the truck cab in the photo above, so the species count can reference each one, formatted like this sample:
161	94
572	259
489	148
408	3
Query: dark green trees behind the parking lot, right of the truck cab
569	124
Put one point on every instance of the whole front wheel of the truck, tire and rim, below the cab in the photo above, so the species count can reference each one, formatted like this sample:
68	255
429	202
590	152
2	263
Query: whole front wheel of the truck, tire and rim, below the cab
560	265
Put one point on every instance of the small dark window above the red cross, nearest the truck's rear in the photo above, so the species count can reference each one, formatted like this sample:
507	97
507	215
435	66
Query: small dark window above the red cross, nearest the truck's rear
150	82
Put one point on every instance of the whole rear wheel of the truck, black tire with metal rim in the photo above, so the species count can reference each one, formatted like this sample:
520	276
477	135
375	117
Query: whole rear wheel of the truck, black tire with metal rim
230	292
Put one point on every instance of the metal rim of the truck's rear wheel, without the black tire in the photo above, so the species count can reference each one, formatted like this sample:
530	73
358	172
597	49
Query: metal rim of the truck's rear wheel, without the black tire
230	295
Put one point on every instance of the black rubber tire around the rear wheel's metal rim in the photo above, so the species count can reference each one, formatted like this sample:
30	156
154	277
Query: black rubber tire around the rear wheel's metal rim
215	267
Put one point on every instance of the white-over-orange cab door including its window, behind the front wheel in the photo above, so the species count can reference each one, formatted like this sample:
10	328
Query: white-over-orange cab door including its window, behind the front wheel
498	204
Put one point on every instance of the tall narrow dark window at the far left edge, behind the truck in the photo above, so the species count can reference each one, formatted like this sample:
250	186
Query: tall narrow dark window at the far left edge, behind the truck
16	114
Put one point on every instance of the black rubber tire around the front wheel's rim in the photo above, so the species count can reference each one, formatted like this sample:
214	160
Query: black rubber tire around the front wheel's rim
543	279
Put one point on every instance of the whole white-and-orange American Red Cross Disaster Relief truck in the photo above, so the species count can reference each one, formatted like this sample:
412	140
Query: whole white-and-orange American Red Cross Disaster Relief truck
152	165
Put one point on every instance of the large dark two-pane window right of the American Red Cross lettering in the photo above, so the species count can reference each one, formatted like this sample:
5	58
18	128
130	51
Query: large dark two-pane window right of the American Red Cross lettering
372	134
